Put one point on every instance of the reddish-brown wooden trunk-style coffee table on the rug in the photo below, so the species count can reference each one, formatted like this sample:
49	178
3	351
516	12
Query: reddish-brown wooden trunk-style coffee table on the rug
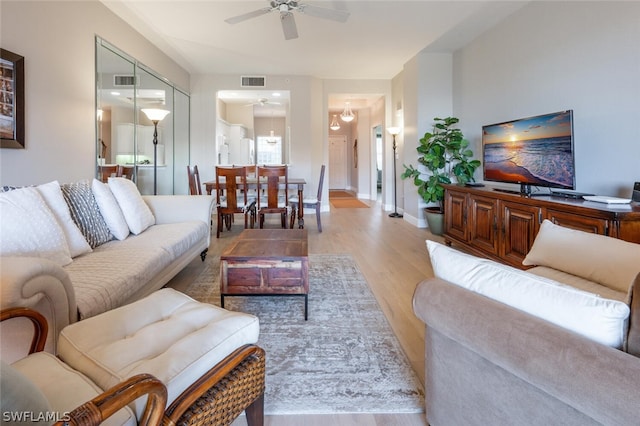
266	262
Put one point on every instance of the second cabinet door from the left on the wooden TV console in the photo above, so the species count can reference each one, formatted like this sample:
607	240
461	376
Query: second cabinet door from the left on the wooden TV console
483	223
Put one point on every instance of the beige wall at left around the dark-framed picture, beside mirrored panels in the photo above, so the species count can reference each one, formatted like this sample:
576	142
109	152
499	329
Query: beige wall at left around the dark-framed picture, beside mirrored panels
57	40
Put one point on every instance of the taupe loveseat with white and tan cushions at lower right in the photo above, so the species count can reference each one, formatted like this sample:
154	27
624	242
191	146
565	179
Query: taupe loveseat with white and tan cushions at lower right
511	347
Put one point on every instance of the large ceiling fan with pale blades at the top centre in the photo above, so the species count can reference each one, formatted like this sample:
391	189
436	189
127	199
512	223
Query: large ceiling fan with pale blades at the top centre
286	7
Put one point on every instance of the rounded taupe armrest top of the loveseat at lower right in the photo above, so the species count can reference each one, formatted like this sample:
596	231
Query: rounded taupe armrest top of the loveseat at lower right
594	379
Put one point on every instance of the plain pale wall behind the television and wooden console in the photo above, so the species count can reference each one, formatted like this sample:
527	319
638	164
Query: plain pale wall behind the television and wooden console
549	57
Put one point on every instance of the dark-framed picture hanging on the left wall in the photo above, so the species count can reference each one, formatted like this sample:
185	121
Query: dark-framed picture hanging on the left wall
11	100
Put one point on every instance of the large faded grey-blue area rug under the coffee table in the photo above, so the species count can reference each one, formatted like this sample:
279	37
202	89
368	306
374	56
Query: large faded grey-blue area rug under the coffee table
344	359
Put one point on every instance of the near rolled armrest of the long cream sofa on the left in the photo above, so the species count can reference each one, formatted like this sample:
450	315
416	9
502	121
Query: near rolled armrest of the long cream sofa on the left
42	285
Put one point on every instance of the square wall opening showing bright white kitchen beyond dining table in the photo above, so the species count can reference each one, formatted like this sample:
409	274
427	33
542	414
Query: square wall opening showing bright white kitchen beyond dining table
253	127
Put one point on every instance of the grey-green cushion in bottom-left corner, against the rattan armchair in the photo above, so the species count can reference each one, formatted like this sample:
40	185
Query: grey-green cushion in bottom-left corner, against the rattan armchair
20	395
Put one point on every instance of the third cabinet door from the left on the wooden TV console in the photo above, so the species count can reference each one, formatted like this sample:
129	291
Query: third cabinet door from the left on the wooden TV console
520	224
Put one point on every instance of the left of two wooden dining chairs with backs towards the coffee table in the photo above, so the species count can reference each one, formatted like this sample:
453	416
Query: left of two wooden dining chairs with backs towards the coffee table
233	198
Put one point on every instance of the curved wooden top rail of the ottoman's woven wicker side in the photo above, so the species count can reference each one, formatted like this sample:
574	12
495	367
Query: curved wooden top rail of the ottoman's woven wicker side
208	380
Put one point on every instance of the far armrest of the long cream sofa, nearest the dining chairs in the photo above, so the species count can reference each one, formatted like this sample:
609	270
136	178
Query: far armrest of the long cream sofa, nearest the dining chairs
180	208
